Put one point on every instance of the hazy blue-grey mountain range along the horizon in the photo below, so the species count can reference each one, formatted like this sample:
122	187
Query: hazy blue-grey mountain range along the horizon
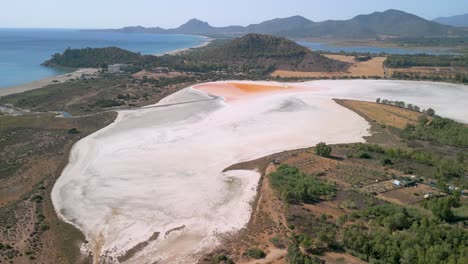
390	23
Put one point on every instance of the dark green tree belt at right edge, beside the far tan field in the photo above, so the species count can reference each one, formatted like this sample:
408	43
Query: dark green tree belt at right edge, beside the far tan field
404	61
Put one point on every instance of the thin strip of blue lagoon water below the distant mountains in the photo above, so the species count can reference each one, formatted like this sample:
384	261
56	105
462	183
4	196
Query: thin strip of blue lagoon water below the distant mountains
371	49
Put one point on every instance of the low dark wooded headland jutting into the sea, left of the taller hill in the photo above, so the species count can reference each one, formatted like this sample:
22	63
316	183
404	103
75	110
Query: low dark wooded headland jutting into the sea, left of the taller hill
92	57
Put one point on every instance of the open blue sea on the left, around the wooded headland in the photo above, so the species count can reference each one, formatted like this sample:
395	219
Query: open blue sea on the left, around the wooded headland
23	50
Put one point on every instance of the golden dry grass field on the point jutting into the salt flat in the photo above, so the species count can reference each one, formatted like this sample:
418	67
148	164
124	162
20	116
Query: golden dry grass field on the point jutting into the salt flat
383	114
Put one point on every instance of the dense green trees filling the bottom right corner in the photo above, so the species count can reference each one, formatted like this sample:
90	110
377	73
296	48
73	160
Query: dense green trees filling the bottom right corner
398	235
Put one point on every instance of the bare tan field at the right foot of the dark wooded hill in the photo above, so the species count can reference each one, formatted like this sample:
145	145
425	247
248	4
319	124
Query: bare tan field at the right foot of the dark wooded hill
372	67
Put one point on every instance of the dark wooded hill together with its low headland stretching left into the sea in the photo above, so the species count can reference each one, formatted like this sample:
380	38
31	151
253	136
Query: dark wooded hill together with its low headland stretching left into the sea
252	52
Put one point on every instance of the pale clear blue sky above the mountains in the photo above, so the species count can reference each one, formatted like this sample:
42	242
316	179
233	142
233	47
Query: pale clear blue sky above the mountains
172	13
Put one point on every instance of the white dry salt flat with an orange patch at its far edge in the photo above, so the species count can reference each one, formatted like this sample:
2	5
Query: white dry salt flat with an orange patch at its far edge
155	174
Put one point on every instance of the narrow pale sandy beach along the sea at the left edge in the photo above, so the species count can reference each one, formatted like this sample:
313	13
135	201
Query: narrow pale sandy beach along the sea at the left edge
46	81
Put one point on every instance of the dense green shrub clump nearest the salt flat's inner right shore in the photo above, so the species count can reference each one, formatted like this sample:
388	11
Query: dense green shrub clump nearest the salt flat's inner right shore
294	186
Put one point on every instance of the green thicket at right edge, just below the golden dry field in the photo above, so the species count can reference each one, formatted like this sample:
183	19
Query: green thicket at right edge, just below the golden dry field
441	130
